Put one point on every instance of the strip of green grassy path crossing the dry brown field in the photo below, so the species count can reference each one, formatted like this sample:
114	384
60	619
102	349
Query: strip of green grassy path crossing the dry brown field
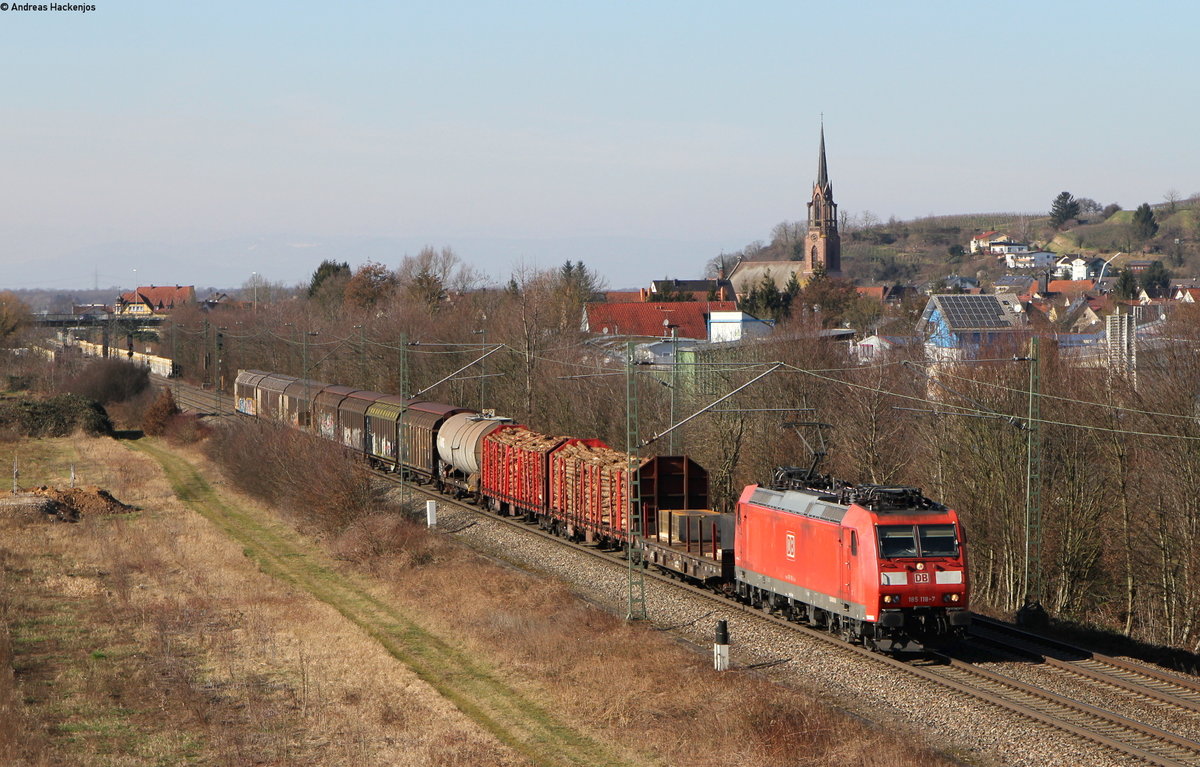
511	715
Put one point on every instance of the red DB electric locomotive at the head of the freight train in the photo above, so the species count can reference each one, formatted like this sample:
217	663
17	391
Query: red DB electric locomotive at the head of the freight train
872	564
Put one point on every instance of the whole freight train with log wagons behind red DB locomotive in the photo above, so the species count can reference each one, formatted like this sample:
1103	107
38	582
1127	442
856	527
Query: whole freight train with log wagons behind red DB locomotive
877	565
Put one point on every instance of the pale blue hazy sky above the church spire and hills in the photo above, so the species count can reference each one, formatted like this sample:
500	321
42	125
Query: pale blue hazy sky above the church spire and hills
200	143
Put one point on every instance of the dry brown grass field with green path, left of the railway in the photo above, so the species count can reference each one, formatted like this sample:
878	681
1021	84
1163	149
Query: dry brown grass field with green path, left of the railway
206	631
